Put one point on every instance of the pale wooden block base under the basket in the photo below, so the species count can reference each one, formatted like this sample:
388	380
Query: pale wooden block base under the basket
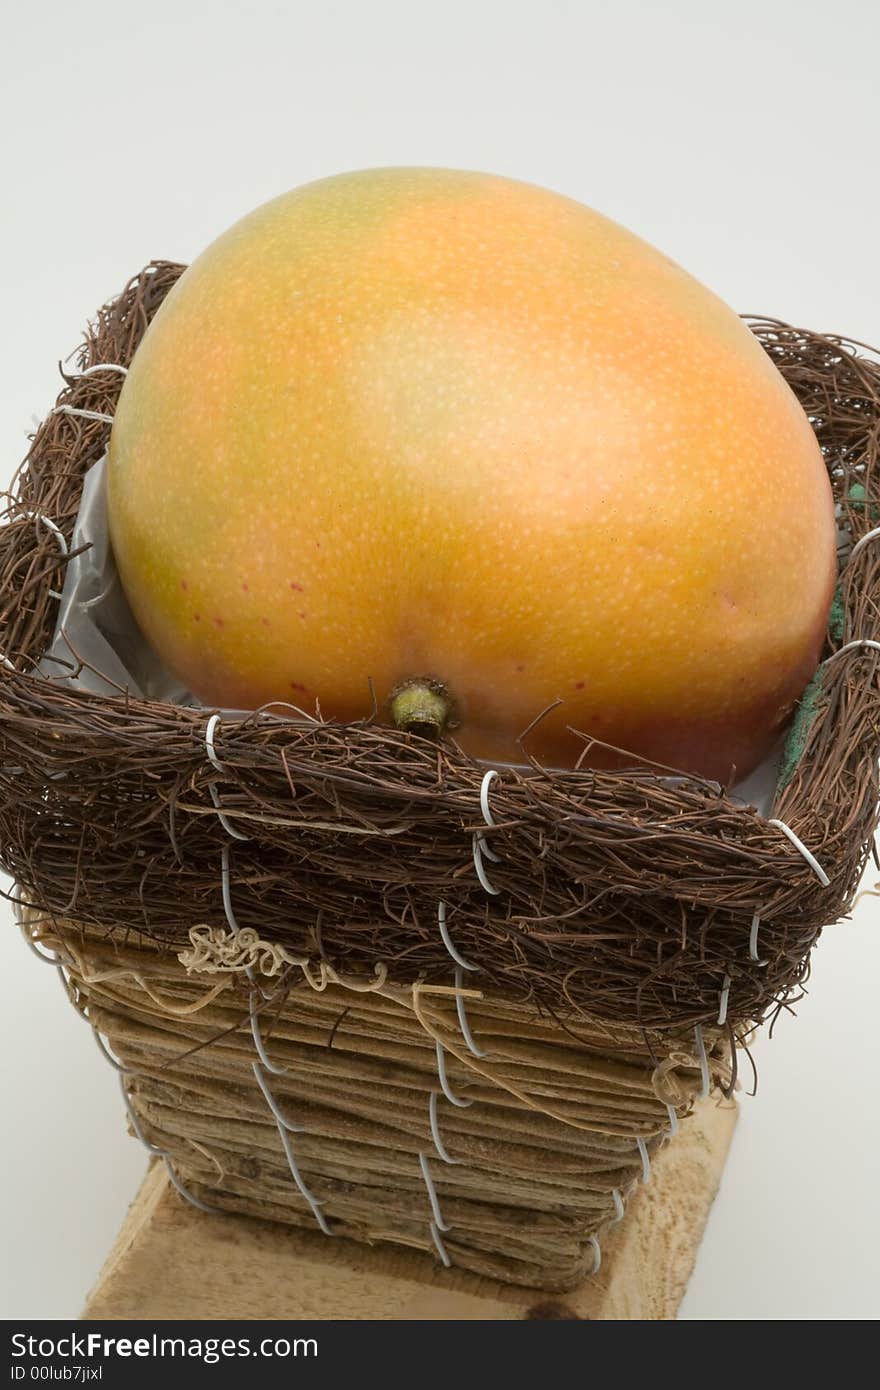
173	1261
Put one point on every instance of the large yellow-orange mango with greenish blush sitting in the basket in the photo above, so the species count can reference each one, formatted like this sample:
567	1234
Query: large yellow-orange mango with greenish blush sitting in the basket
418	422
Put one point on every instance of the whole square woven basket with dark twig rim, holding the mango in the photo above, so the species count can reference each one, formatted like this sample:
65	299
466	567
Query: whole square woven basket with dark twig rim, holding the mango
365	985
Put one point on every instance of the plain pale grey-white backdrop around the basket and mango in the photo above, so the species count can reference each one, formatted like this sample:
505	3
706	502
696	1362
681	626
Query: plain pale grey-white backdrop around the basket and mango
739	138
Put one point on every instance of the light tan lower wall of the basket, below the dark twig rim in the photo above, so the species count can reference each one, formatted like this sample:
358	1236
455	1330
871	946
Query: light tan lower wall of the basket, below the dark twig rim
365	1113
